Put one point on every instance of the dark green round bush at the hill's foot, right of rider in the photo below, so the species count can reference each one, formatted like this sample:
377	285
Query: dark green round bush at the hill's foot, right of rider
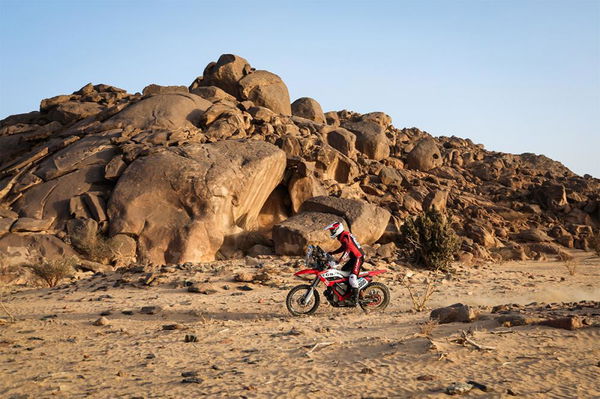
429	241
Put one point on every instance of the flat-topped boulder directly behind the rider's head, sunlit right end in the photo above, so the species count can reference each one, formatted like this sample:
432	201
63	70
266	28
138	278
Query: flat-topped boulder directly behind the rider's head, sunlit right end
366	221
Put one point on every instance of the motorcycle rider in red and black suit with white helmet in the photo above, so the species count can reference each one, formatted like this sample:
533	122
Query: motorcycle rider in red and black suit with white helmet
350	248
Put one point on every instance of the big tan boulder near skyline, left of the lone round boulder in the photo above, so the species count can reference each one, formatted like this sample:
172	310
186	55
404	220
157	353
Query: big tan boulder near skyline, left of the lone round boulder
370	138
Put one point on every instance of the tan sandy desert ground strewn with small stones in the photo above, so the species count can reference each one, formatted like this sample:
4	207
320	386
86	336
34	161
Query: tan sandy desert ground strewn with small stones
249	346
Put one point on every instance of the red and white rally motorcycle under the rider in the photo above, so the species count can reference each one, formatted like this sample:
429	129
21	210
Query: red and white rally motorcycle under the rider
304	299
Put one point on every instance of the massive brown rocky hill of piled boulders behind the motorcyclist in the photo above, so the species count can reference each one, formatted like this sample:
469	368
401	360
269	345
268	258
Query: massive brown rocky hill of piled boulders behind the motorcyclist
229	166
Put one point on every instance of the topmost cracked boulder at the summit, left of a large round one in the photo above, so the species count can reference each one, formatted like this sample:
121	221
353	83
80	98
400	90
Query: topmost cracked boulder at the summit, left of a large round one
226	73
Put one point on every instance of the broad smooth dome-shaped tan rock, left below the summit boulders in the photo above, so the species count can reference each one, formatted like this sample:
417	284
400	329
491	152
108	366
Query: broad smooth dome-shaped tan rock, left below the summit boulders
167	111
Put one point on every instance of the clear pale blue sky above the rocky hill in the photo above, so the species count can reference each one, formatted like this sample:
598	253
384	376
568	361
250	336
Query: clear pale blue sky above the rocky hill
516	76
